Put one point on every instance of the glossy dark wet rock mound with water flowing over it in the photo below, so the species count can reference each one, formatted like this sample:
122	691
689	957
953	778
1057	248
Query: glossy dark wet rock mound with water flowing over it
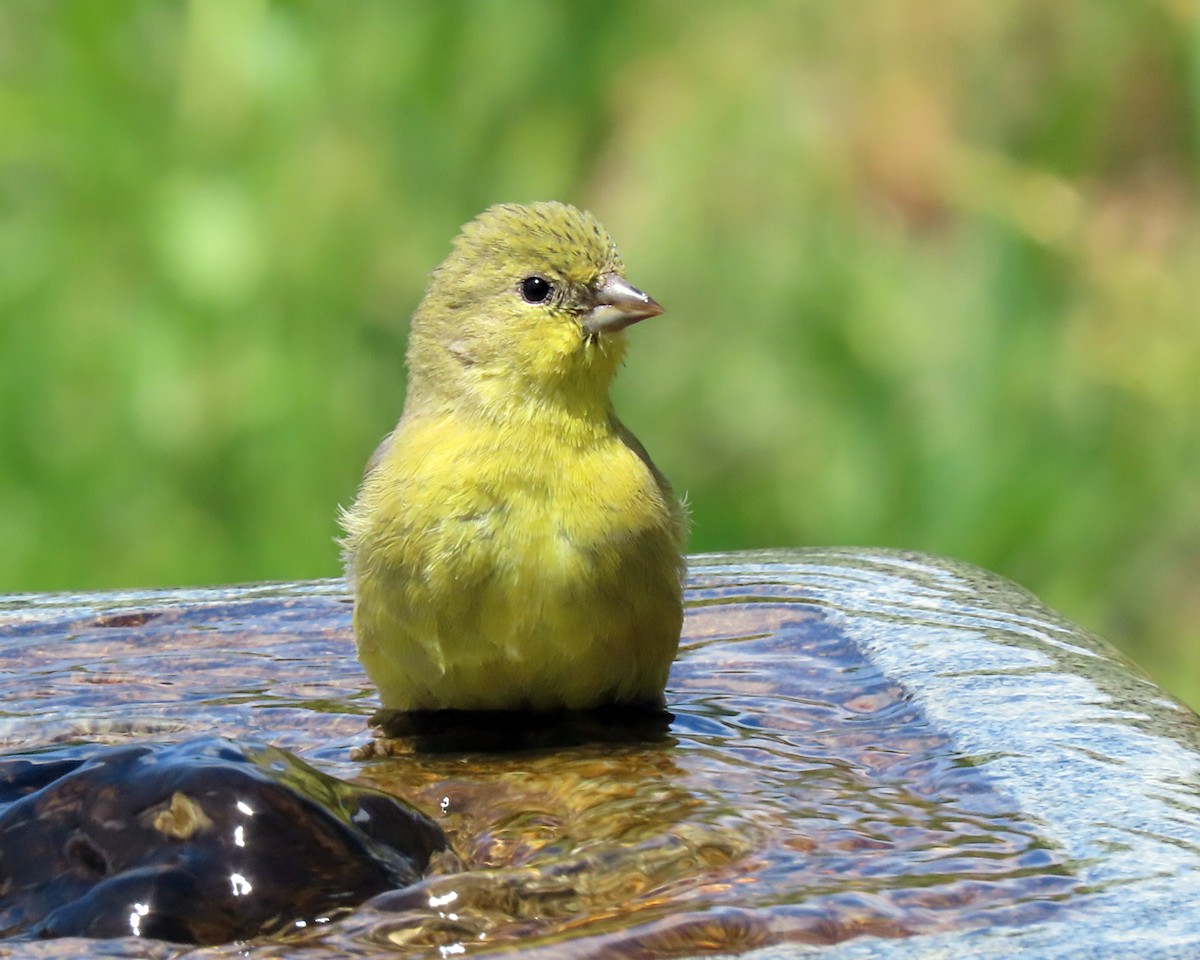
202	842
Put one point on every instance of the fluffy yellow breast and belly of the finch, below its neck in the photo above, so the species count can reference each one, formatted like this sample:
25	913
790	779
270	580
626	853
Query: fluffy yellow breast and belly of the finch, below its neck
497	568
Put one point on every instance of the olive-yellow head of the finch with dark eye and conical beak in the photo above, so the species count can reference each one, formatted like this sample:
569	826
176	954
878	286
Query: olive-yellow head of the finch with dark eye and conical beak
531	304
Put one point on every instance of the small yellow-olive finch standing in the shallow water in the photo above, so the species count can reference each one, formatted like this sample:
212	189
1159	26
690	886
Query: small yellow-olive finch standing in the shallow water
513	547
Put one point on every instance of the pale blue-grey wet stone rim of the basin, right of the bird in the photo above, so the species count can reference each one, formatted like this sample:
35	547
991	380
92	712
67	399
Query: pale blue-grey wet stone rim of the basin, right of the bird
1053	717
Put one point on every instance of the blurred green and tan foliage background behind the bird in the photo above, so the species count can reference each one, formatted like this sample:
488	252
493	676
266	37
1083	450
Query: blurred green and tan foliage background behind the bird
932	268
